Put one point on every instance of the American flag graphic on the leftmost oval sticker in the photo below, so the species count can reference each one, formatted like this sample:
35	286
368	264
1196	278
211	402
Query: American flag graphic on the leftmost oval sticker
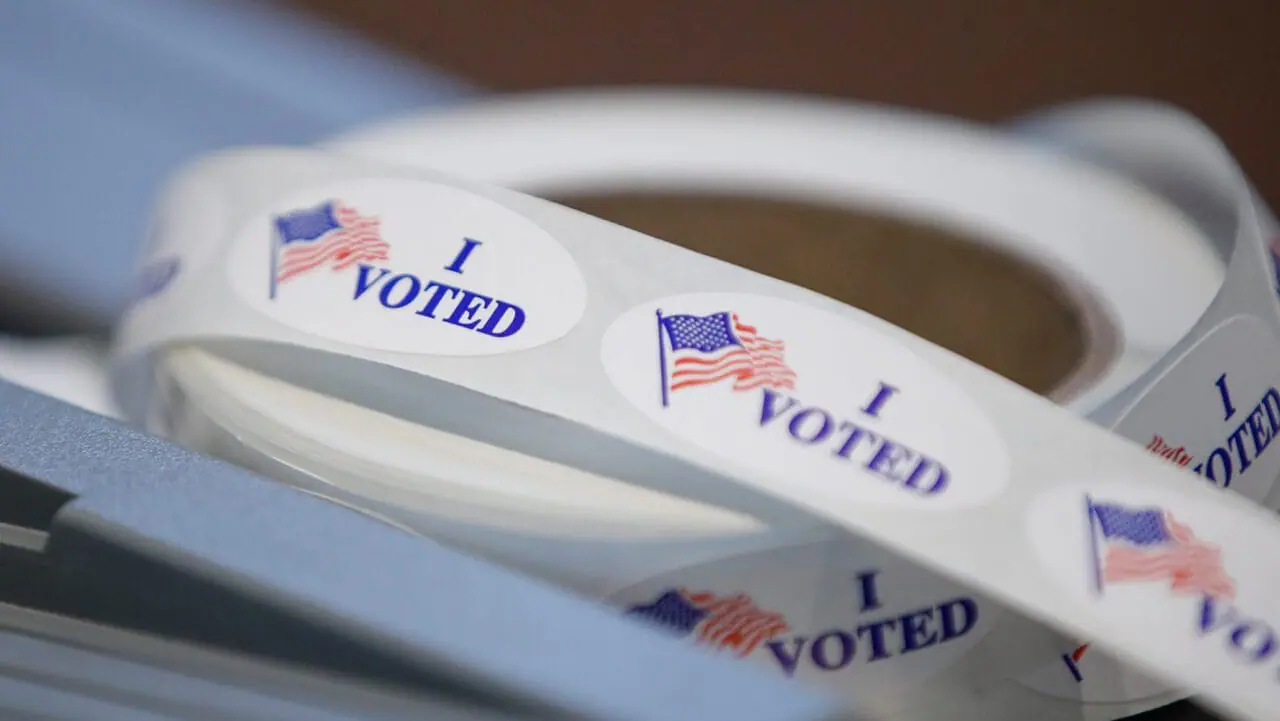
328	236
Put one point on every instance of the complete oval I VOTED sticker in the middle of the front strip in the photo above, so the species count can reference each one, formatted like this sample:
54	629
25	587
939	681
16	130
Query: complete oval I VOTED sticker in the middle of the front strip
806	396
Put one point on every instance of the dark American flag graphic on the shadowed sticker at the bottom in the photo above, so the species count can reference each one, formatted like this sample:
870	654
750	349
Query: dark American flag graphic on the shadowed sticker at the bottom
730	622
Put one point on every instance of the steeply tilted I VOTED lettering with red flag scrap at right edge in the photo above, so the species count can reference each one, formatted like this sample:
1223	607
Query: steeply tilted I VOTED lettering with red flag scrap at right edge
1246	444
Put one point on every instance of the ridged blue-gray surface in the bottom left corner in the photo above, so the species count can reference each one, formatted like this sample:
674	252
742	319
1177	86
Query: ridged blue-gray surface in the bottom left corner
83	672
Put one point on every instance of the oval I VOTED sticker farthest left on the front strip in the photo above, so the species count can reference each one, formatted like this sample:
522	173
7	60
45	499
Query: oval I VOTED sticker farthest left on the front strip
408	267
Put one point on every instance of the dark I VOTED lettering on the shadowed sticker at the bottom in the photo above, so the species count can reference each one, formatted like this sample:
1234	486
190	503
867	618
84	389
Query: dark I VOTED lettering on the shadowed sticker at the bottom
876	640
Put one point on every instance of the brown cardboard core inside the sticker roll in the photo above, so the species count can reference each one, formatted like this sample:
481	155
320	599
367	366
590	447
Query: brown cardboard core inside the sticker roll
995	309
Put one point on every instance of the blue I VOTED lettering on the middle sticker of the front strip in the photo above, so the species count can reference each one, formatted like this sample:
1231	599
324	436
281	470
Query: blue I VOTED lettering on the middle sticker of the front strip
848	441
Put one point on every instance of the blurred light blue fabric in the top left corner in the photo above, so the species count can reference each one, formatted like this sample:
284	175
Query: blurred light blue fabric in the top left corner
102	99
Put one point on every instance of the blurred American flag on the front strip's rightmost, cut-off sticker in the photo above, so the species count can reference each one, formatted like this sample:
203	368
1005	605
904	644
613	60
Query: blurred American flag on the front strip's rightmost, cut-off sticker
1149	545
